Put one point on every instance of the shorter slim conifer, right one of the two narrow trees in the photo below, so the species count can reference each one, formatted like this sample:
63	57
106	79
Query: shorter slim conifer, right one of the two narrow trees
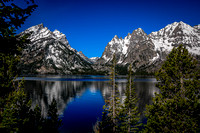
129	114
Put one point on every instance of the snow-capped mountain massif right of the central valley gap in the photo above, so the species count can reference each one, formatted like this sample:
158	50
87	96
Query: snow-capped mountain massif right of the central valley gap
142	50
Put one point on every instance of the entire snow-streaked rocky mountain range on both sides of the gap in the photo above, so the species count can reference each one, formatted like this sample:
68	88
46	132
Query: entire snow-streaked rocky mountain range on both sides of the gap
50	52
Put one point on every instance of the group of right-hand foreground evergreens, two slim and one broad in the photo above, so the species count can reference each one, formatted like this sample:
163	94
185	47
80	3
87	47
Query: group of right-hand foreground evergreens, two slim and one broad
175	109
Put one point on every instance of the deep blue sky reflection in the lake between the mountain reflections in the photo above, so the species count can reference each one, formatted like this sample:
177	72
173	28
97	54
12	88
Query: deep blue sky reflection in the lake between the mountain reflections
83	112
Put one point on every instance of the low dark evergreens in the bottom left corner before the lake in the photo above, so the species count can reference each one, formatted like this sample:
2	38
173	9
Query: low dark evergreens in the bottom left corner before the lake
18	115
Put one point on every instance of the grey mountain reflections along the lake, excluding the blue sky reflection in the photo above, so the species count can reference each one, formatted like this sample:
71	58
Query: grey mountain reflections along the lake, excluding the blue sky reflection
43	92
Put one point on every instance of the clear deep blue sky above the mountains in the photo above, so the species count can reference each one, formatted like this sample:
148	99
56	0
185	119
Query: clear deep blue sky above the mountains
90	24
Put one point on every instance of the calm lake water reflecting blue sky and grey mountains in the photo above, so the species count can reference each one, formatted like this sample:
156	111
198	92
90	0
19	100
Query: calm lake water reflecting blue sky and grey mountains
80	99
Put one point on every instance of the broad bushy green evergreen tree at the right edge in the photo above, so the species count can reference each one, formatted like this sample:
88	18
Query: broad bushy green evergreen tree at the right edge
177	107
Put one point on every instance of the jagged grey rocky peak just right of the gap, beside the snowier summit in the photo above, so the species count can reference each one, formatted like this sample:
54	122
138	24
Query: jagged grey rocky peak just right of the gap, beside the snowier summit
136	48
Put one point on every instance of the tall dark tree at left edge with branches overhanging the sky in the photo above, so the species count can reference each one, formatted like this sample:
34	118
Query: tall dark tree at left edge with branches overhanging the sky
11	18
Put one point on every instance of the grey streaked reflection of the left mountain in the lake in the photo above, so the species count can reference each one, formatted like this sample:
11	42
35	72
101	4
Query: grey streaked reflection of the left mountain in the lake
43	92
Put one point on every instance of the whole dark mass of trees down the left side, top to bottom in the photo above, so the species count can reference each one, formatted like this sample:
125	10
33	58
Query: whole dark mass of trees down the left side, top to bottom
16	113
